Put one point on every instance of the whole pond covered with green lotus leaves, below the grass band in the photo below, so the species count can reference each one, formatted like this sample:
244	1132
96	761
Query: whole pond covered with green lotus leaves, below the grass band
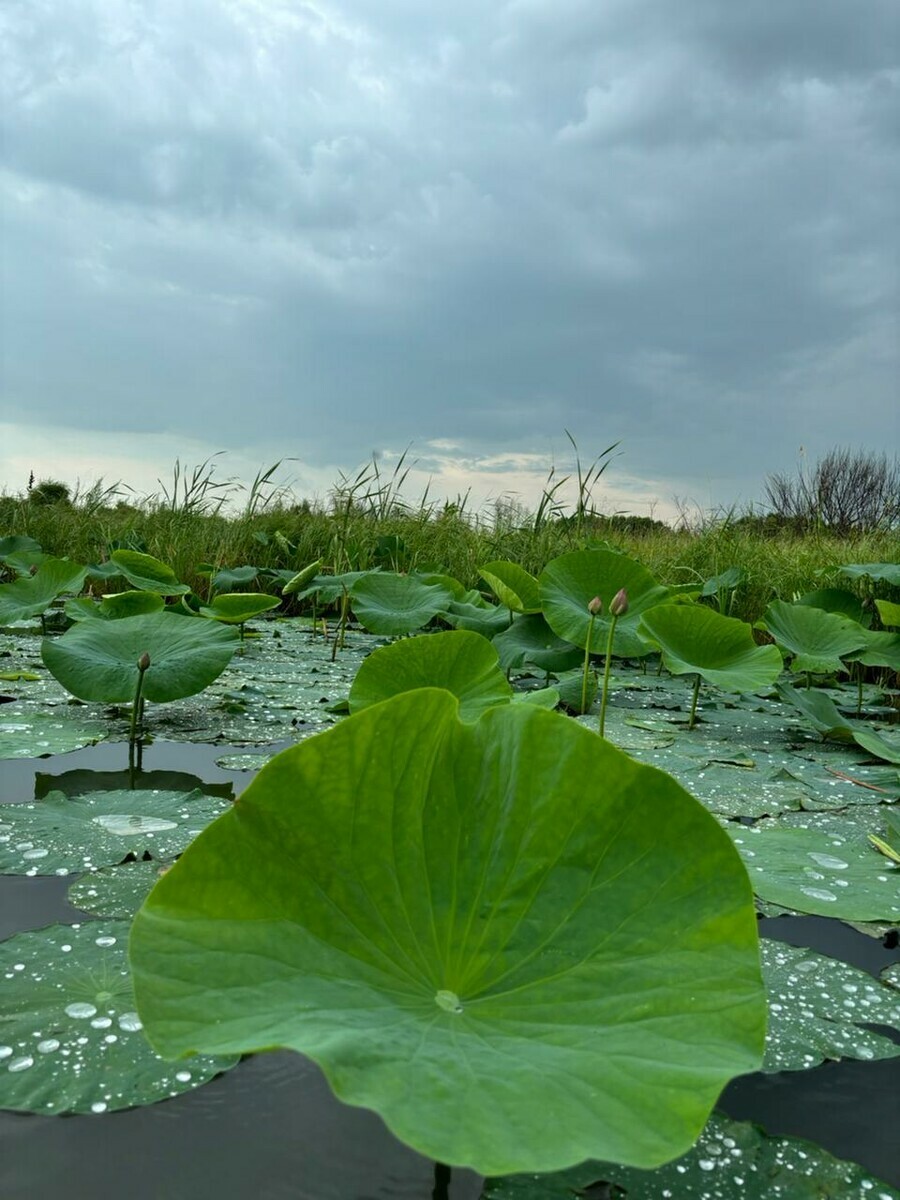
447	922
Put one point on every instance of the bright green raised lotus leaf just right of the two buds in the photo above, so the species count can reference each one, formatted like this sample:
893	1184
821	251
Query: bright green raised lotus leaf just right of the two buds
697	640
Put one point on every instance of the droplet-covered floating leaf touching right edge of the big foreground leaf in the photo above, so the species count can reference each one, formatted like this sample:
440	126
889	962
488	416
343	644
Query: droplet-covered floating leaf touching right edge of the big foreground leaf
818	1006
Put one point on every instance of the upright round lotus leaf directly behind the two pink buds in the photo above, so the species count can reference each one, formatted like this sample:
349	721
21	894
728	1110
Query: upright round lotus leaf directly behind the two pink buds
571	583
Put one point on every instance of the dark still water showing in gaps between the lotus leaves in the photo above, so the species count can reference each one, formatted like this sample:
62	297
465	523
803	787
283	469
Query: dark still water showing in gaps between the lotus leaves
271	1130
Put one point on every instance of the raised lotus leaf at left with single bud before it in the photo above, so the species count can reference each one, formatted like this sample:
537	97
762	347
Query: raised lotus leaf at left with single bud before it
99	661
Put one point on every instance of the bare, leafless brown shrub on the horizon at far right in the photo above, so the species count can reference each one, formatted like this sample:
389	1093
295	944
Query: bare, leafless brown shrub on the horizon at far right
847	491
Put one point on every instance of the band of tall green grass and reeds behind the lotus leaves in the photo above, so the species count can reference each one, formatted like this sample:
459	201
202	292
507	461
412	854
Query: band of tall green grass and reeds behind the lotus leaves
201	521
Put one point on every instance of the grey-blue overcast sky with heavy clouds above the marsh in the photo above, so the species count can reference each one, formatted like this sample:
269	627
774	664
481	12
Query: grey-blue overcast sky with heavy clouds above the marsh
323	231
